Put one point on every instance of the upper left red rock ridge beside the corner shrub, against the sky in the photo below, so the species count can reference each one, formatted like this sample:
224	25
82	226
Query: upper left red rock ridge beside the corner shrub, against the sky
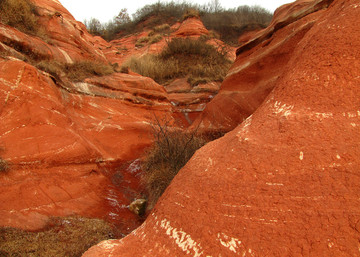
67	39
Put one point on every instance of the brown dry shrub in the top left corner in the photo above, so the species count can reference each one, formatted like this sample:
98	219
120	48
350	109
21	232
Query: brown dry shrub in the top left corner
20	14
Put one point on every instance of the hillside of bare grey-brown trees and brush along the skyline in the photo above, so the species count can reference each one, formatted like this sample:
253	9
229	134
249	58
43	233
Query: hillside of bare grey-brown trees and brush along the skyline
229	24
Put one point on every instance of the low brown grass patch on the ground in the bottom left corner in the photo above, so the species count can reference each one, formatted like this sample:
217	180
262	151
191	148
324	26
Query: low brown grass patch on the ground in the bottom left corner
64	237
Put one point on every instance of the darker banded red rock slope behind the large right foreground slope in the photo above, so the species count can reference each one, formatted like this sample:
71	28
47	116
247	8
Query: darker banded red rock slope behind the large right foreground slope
261	62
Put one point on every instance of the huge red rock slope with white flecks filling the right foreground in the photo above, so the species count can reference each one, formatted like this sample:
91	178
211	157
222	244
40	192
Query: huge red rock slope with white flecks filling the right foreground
286	181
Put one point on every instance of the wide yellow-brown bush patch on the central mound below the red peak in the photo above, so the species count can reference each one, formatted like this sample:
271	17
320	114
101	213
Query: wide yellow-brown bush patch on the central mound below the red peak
183	58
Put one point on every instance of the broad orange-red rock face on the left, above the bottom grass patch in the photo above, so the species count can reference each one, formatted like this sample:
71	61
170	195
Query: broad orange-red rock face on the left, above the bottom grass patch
61	145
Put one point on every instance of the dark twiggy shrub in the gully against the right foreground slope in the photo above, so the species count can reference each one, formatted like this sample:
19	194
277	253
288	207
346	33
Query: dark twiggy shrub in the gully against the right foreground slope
171	150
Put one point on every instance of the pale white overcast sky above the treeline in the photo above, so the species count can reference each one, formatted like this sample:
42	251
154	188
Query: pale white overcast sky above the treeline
105	10
